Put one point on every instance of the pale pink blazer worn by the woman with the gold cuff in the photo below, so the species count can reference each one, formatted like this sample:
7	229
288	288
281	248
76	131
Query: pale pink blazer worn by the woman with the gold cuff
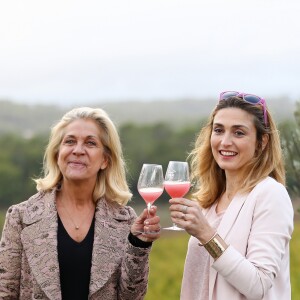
258	227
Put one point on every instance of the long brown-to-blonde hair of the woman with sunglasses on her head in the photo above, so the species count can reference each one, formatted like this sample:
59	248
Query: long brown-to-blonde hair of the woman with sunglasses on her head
210	181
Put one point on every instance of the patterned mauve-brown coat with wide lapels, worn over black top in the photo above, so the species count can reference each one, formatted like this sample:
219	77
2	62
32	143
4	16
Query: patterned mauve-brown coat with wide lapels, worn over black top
28	253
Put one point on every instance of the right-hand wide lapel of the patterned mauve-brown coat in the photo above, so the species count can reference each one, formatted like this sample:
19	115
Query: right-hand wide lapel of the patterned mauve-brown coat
112	223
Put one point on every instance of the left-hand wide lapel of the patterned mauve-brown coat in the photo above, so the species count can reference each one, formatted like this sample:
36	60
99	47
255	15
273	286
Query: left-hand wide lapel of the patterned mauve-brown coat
39	238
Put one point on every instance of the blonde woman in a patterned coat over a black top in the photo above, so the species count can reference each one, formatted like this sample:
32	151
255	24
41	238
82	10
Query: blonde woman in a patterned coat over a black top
76	238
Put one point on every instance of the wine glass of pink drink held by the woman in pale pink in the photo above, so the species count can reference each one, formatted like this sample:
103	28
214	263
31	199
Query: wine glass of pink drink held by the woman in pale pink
177	182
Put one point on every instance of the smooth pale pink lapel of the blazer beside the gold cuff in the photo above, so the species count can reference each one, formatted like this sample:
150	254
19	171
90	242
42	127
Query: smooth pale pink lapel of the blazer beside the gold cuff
227	222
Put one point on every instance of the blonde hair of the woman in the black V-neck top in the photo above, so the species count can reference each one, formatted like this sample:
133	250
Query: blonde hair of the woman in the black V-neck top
111	182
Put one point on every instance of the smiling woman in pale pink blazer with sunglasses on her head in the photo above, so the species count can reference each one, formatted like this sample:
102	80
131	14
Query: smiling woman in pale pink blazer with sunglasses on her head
242	221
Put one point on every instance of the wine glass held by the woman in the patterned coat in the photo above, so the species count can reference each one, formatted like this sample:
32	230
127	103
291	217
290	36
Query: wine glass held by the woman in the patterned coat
151	184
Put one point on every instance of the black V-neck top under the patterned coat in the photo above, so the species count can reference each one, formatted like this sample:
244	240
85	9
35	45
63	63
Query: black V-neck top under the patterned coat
75	260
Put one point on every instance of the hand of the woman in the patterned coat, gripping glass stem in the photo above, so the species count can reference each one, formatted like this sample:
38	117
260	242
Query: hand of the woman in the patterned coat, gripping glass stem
147	228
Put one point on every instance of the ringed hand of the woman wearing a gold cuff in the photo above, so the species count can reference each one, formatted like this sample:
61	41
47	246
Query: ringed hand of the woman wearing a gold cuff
188	215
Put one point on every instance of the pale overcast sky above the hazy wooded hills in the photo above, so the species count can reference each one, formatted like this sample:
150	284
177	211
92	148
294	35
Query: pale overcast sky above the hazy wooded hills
76	51
